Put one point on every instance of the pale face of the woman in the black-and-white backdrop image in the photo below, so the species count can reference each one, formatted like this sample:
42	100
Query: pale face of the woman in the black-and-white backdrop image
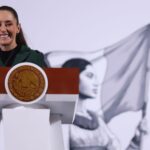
88	82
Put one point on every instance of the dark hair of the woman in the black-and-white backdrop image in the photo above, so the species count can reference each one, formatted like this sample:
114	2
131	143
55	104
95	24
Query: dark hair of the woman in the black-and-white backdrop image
76	63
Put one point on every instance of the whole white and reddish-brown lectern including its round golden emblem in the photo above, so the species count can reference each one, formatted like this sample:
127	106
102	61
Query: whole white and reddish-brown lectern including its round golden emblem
34	103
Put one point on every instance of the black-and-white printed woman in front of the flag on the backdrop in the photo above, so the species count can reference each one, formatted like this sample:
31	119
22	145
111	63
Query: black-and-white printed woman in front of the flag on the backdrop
89	131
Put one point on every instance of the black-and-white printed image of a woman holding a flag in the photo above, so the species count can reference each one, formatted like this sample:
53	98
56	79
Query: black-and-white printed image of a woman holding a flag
121	89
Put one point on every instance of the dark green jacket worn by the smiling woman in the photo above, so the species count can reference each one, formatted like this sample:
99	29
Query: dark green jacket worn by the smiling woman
25	54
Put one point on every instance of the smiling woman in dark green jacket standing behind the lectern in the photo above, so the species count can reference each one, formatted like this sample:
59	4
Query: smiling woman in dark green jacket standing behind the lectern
13	46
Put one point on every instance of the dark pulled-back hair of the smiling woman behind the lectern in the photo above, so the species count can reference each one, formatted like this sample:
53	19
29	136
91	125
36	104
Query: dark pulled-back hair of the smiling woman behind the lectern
20	39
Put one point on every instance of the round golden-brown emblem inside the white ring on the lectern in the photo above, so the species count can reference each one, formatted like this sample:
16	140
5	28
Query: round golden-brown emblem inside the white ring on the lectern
26	83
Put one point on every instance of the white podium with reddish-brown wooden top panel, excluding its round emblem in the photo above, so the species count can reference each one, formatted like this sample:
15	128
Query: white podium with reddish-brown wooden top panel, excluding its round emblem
37	125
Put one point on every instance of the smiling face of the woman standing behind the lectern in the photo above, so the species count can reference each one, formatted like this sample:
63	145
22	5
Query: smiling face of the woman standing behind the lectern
8	30
